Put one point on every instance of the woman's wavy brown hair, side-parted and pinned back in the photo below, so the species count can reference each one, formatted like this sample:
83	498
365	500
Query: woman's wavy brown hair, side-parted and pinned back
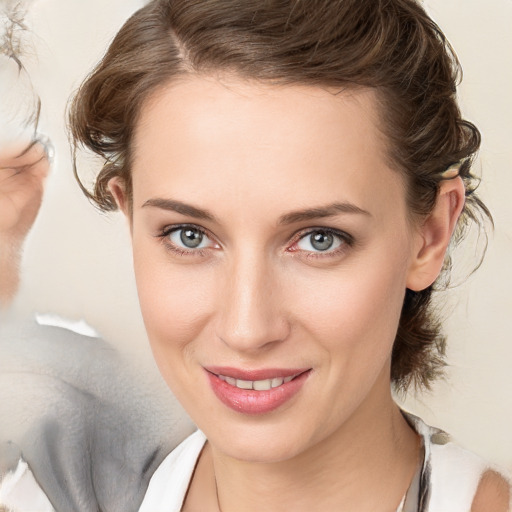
389	45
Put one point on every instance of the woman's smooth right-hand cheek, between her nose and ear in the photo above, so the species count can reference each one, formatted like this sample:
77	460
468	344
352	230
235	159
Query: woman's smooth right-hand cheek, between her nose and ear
354	311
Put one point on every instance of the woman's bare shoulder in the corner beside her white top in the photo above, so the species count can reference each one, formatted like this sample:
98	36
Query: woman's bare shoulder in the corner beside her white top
493	493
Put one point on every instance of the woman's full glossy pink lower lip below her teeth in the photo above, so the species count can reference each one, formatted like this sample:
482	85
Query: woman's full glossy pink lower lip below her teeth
249	401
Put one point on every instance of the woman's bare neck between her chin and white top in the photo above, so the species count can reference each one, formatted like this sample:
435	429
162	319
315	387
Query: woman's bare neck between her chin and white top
366	465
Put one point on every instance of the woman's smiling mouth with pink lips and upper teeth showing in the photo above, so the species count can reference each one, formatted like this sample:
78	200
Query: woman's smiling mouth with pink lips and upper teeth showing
255	391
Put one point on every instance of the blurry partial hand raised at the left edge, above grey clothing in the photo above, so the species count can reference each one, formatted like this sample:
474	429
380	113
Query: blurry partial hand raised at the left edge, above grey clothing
23	169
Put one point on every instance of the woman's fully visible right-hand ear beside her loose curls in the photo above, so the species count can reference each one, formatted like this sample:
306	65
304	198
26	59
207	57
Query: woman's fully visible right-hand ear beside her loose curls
433	236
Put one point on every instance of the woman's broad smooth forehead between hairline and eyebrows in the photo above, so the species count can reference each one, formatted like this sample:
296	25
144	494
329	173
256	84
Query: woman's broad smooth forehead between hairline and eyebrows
206	138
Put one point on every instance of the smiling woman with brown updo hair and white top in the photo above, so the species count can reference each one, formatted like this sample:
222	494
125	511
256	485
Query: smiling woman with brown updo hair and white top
292	174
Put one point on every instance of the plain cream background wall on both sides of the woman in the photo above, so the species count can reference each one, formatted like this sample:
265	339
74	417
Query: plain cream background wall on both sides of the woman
77	261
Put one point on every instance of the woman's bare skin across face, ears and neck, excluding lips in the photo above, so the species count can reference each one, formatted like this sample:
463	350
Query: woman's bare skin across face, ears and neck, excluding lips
257	294
